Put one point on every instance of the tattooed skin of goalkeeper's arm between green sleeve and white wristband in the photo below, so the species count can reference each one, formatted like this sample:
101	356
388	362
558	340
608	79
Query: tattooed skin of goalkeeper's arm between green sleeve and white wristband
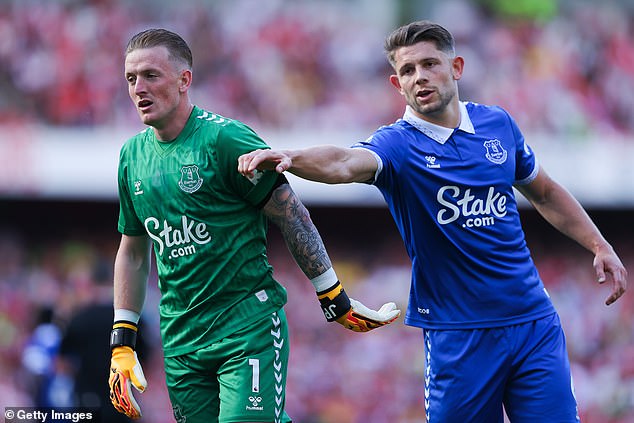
300	234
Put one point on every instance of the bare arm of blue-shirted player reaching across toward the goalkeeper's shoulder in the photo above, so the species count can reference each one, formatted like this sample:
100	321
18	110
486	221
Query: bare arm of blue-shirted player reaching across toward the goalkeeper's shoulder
324	163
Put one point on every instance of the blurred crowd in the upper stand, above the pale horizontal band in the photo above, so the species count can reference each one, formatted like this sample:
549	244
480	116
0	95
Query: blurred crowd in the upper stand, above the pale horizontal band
319	64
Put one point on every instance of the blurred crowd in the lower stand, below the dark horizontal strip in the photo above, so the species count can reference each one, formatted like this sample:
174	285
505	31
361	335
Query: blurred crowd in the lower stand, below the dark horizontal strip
335	376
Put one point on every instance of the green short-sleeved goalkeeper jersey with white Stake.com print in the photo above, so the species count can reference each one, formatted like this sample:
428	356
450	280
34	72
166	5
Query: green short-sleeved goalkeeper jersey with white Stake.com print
208	233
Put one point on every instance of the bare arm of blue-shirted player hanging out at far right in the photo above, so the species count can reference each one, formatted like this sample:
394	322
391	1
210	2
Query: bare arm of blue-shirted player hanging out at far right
565	213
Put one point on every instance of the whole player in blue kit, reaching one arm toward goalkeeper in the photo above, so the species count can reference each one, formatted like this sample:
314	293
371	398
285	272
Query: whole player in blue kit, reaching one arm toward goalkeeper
447	169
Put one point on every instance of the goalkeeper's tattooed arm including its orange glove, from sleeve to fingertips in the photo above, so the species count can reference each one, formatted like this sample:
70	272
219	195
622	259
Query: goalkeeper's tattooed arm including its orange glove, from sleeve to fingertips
305	244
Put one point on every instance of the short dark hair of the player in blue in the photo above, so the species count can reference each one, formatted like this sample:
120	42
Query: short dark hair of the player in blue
415	32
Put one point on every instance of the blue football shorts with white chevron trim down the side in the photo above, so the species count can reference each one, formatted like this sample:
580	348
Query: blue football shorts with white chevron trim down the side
475	375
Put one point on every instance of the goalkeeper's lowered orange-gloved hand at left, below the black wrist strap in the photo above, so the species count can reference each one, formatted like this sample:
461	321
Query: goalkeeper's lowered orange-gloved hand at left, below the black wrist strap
125	370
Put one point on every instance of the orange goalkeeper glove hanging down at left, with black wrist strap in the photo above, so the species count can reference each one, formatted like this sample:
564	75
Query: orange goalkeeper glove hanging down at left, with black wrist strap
125	370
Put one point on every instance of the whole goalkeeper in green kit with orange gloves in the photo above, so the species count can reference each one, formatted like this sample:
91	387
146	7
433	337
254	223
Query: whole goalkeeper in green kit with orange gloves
223	327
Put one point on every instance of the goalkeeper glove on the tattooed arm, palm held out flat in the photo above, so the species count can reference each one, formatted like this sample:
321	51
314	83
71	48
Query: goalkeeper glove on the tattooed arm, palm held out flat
351	313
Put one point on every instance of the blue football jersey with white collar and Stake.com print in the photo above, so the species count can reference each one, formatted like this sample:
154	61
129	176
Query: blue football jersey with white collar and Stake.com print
450	192
